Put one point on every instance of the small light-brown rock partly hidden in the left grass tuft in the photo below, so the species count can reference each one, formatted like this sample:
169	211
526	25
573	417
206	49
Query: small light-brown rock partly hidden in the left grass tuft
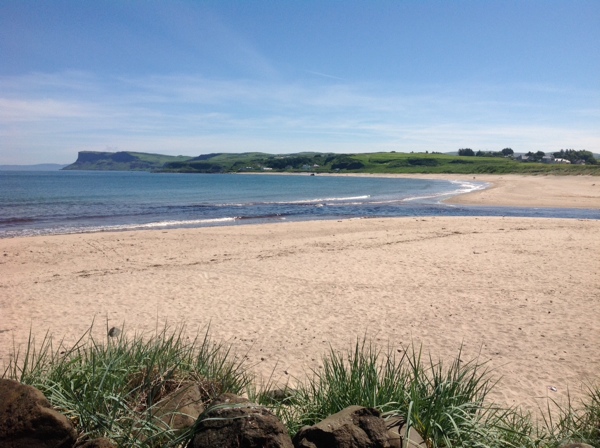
181	409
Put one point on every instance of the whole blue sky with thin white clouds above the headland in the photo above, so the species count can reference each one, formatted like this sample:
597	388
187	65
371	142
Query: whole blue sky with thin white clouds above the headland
193	77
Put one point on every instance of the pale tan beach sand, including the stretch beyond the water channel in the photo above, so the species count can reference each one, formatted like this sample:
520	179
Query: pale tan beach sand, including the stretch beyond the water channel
522	294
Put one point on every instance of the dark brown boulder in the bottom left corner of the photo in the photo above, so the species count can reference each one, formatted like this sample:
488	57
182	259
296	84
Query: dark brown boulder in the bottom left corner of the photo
28	421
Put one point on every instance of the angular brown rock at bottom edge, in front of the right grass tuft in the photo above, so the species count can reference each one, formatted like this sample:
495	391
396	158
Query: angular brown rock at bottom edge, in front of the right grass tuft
353	427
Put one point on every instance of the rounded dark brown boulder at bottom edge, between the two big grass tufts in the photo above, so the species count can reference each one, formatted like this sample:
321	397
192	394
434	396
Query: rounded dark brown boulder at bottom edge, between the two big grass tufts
239	424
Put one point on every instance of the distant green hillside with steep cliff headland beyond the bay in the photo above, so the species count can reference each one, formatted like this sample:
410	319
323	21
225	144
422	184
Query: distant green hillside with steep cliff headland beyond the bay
401	163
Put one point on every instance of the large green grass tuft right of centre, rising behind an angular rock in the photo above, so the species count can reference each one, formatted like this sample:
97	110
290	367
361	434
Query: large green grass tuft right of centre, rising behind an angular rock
446	405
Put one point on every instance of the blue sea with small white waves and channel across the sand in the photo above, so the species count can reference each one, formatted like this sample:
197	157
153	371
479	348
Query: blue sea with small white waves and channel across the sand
63	202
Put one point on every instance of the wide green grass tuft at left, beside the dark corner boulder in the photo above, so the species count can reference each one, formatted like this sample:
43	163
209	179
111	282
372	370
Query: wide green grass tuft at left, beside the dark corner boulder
111	388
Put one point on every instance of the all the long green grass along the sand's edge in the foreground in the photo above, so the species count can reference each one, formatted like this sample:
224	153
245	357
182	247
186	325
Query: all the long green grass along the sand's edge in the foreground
112	388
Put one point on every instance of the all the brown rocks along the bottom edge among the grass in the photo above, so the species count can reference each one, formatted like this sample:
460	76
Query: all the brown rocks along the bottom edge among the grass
27	420
